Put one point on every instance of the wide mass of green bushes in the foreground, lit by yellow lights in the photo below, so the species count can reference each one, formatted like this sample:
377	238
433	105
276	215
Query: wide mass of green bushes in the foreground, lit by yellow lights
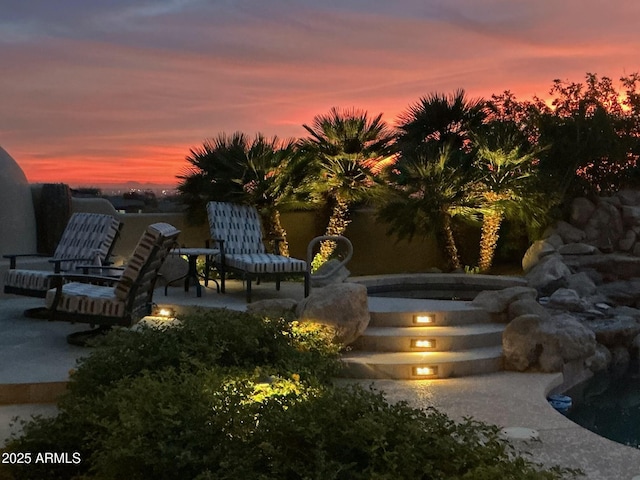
228	395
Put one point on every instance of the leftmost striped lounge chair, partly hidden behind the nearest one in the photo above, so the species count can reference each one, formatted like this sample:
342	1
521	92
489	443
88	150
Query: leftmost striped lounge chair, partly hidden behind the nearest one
87	239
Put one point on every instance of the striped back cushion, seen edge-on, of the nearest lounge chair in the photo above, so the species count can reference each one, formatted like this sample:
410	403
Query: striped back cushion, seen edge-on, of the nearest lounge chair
162	235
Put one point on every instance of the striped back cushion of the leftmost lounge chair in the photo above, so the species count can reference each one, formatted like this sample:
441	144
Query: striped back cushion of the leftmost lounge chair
87	236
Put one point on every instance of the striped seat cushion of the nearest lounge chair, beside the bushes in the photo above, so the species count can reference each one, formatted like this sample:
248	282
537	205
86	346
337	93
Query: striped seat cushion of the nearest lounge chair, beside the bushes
88	299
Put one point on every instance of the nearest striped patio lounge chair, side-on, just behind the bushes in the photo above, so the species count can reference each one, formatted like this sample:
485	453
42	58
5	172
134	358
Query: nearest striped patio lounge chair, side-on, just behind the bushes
109	301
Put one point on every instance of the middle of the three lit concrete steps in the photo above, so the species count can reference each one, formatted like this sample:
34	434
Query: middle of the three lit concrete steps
416	339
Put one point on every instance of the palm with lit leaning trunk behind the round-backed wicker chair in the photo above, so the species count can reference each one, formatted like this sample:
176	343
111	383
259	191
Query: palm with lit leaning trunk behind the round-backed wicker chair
343	153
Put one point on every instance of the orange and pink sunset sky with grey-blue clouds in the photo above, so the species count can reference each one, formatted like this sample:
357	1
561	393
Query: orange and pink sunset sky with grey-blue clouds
105	92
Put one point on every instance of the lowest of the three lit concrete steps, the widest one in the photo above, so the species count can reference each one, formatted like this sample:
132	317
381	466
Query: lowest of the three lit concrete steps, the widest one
421	365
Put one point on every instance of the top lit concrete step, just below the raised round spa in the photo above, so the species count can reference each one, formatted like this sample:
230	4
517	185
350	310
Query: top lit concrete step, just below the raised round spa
407	312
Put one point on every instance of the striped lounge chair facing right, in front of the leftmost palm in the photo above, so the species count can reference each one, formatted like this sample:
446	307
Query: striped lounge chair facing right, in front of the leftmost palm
237	232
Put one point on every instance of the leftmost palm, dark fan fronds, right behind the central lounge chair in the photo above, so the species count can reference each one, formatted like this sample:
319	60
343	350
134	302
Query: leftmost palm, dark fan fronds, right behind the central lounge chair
238	169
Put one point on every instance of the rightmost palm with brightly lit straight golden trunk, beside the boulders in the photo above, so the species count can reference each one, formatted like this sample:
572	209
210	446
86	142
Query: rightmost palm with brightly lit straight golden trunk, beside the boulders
506	168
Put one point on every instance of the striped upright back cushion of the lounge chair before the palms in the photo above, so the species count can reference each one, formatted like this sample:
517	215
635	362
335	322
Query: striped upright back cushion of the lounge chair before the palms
238	225
